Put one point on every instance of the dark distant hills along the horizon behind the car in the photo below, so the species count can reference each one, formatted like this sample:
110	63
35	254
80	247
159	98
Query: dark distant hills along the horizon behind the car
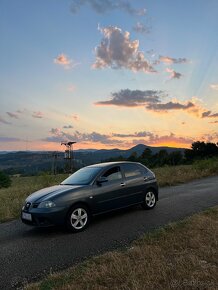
33	162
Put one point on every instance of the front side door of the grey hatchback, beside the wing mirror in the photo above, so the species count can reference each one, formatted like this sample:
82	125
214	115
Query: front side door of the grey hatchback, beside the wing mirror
108	195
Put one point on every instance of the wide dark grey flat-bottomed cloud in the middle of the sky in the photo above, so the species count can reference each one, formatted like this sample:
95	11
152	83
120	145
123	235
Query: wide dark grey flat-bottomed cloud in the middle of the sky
132	98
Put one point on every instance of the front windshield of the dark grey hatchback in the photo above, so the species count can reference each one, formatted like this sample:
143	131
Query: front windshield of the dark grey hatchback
81	177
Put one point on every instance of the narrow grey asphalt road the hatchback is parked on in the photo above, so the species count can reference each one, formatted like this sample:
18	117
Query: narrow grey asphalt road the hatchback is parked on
27	253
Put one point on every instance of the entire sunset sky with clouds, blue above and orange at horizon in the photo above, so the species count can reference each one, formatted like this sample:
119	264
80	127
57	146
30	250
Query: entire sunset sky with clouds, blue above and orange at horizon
108	74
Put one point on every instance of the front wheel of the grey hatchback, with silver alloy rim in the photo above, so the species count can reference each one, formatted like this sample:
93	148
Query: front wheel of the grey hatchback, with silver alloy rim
78	218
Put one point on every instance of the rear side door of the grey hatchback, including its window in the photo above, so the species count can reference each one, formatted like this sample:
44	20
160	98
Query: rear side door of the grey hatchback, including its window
135	183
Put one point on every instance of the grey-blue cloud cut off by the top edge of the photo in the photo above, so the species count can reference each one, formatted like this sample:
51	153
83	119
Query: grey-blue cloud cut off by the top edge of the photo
101	7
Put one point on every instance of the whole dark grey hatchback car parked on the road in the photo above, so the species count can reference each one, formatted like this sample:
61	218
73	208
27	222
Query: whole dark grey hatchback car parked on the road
90	191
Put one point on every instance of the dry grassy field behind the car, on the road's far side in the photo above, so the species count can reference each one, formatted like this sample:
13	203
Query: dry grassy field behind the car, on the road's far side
12	198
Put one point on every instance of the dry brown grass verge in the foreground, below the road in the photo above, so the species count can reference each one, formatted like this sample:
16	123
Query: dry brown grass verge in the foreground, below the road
180	256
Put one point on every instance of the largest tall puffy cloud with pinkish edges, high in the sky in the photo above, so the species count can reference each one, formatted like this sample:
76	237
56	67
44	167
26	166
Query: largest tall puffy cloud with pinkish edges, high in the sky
116	50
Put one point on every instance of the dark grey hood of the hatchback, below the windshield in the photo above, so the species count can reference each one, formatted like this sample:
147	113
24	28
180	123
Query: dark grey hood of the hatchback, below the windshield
51	192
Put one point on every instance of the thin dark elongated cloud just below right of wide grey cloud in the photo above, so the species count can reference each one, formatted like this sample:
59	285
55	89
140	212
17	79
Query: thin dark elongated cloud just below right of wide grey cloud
170	106
